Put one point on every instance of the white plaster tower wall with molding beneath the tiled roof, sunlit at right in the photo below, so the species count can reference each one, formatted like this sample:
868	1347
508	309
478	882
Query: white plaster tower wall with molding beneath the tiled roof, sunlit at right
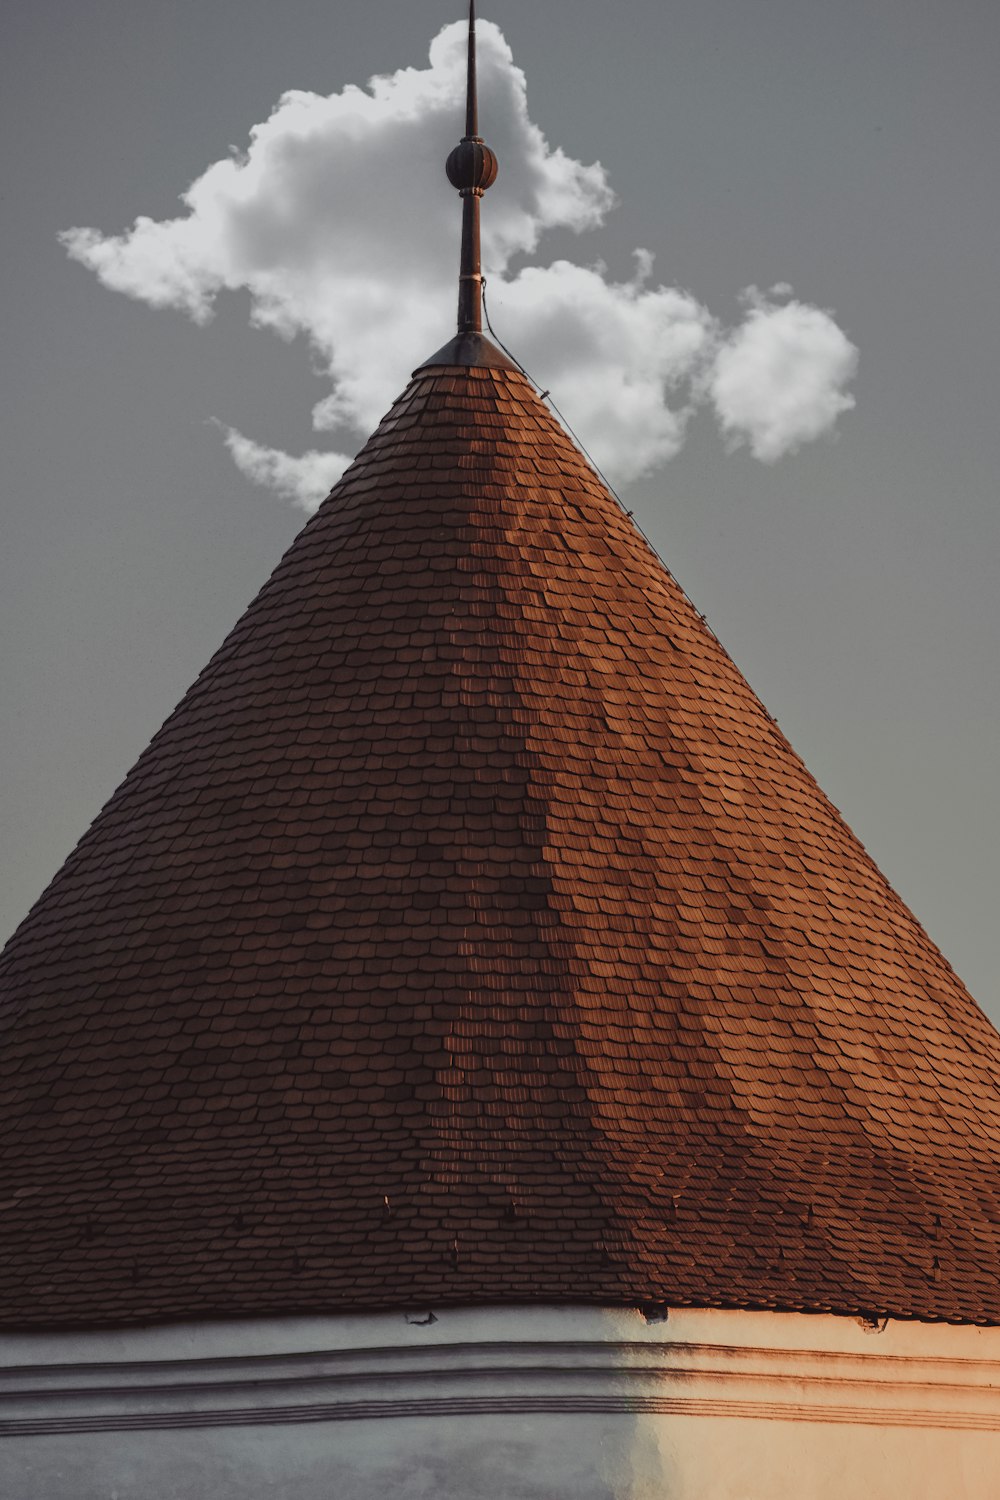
506	1405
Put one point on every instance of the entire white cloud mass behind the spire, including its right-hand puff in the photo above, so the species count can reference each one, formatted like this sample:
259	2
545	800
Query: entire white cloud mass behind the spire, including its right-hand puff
340	223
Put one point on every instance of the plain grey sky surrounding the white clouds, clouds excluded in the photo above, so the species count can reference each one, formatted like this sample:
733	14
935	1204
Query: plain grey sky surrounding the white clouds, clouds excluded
846	149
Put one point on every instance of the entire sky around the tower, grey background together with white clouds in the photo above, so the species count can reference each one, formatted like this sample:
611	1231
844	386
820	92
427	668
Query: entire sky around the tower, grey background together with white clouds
749	247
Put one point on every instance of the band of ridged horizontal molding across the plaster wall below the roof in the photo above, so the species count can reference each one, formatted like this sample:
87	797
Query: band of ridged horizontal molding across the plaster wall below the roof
501	1378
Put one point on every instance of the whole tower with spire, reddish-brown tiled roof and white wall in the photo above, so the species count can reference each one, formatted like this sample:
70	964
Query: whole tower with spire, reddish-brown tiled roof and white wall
472	1009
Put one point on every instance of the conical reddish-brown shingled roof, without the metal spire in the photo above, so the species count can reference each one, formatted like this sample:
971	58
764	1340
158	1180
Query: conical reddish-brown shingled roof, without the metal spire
472	934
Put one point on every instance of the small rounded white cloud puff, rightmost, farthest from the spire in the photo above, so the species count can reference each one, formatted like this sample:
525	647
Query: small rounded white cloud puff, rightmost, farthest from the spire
780	379
